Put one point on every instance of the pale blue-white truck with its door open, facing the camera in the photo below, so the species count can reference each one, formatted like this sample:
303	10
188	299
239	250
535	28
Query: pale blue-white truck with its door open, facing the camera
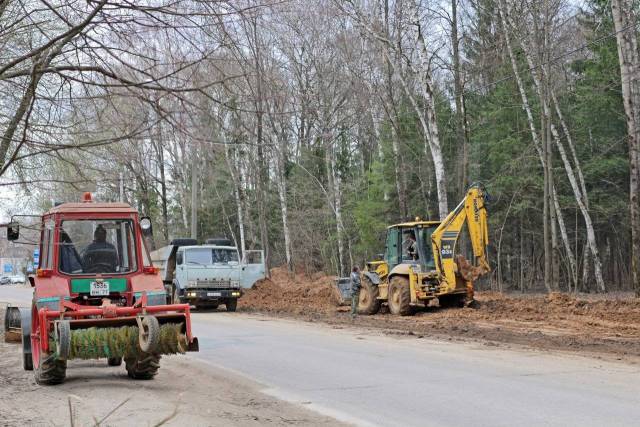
207	275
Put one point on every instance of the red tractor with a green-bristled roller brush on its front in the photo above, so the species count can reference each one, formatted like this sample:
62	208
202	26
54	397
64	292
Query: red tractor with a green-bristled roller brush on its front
96	294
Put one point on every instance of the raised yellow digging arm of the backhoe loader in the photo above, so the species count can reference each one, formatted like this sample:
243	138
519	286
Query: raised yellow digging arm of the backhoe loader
471	211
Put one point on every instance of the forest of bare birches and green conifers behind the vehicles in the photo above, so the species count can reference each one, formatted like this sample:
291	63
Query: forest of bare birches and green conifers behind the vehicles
306	127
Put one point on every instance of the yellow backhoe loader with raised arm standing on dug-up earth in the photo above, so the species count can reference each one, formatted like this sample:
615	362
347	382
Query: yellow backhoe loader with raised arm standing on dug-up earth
420	261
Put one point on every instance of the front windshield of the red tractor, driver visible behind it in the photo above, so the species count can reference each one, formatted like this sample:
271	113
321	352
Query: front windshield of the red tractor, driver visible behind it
97	246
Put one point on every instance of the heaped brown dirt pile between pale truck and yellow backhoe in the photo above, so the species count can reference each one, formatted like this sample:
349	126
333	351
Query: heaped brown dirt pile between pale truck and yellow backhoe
296	294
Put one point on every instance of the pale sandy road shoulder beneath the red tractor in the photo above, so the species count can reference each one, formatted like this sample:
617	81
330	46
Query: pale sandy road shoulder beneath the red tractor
186	392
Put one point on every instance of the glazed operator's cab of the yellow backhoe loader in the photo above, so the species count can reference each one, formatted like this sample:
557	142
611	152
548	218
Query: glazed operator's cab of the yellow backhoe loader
410	243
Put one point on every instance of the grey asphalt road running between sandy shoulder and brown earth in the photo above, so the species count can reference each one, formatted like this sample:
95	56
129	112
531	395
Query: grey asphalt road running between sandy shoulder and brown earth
367	379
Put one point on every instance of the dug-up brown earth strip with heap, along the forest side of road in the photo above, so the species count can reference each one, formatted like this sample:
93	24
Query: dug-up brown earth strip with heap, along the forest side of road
600	325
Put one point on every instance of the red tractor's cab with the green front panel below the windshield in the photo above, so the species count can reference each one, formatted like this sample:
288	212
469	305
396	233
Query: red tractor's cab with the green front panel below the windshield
98	249
